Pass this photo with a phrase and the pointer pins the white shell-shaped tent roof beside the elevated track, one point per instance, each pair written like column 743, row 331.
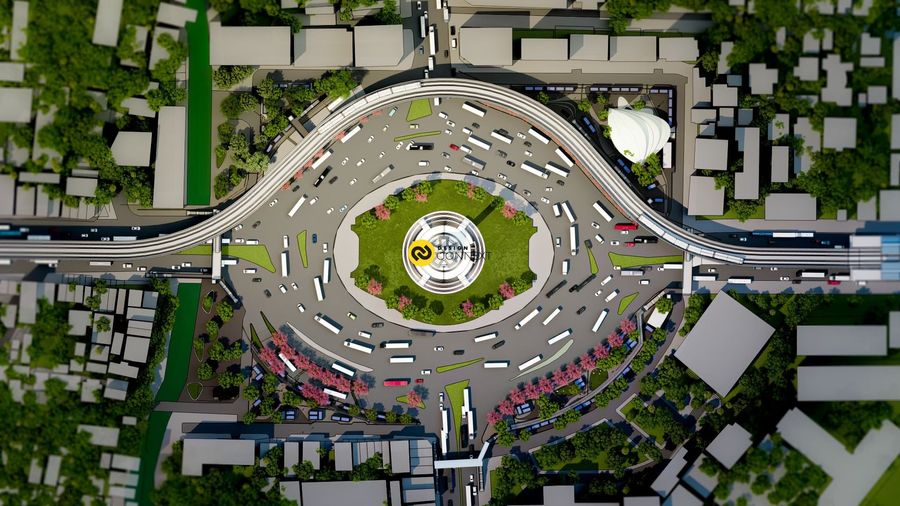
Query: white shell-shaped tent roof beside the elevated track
column 638, row 134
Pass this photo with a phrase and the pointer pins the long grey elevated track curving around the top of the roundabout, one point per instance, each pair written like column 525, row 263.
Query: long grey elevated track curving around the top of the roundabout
column 606, row 177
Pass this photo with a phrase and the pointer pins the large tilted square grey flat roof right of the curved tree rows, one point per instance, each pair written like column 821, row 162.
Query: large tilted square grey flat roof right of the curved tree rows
column 717, row 356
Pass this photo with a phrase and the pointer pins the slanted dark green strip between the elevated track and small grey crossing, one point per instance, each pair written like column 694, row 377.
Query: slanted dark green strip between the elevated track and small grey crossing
column 180, row 345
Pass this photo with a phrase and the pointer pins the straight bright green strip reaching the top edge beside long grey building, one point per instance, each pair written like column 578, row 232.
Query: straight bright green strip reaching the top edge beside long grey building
column 199, row 110
